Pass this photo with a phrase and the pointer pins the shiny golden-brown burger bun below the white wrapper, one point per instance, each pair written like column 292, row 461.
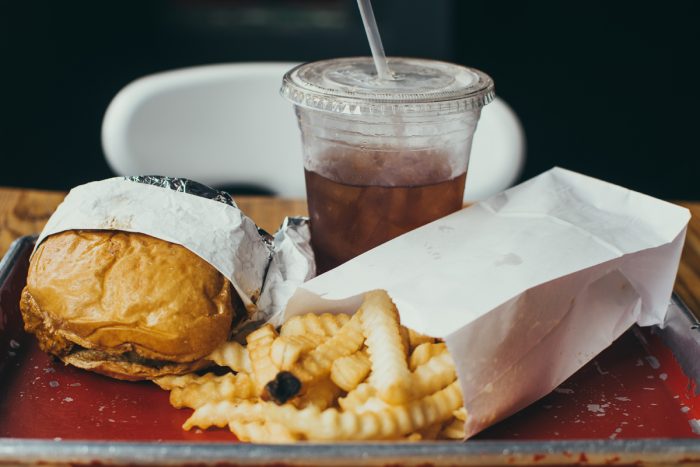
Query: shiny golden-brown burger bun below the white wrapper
column 125, row 294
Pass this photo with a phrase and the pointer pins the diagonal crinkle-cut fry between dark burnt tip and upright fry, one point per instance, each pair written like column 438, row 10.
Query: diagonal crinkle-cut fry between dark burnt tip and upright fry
column 317, row 363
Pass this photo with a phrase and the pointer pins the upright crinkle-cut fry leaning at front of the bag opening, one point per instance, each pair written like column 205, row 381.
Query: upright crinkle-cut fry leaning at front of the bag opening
column 380, row 325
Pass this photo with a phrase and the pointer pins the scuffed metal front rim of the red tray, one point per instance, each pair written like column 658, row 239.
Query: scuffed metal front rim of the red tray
column 437, row 453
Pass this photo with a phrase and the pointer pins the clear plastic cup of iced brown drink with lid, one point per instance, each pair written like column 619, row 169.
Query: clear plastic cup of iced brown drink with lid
column 382, row 157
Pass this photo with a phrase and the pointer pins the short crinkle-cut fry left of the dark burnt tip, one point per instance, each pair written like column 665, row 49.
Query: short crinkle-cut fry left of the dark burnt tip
column 225, row 387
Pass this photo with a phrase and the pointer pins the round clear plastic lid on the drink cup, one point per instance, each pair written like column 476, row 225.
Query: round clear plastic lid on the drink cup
column 351, row 86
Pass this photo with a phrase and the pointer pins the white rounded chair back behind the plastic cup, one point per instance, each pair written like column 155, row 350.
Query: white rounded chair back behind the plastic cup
column 228, row 125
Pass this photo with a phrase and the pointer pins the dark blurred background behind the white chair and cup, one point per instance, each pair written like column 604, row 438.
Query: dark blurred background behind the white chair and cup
column 607, row 88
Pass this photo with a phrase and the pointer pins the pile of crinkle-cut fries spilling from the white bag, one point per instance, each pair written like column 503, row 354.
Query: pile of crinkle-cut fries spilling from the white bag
column 329, row 377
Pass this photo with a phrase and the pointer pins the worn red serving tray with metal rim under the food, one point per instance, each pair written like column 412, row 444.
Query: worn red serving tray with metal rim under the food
column 633, row 402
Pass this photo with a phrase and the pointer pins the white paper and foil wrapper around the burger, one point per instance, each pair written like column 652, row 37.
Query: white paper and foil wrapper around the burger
column 264, row 270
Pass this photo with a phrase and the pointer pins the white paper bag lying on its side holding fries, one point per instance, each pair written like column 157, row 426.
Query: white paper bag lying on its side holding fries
column 525, row 287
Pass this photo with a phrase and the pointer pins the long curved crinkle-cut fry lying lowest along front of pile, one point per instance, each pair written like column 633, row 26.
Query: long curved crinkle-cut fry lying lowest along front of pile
column 331, row 424
